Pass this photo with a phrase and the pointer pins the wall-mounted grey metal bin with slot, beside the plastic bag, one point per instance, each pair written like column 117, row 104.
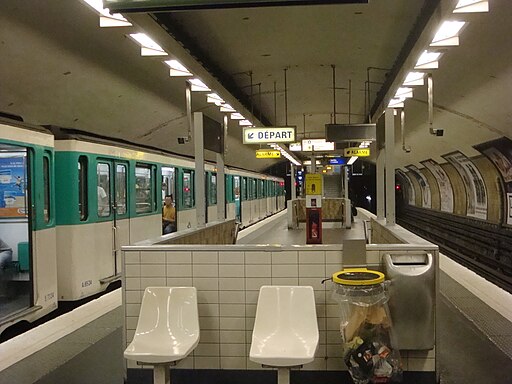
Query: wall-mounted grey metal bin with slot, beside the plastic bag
column 412, row 299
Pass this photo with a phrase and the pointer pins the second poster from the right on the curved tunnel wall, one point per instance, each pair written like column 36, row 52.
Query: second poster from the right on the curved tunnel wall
column 475, row 186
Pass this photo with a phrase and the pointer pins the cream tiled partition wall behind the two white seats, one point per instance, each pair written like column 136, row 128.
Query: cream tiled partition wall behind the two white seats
column 228, row 279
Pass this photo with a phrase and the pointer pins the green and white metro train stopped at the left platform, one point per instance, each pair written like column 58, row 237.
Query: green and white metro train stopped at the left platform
column 61, row 238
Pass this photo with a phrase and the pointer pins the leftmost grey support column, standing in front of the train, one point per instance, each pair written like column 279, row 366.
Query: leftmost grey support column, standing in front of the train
column 199, row 181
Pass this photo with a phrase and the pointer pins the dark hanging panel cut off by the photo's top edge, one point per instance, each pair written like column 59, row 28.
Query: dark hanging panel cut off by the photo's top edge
column 172, row 5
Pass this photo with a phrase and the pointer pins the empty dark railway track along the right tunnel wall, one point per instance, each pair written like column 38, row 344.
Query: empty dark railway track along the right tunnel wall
column 483, row 247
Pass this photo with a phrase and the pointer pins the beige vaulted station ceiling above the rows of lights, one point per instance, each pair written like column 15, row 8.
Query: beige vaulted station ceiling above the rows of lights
column 58, row 67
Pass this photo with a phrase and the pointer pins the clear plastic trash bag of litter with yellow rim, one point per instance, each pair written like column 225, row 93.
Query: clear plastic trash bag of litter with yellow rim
column 369, row 347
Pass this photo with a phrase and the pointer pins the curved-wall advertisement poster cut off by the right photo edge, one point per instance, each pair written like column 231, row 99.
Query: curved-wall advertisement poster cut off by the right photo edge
column 499, row 152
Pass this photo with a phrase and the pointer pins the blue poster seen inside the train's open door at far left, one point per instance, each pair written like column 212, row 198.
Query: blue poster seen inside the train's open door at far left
column 12, row 186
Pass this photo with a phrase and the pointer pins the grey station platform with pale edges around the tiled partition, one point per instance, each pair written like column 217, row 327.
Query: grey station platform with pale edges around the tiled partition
column 474, row 332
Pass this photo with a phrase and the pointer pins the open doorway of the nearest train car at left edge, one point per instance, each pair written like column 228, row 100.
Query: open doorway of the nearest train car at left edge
column 16, row 272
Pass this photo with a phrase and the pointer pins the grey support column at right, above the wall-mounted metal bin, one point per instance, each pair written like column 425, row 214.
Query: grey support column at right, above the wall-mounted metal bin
column 390, row 166
